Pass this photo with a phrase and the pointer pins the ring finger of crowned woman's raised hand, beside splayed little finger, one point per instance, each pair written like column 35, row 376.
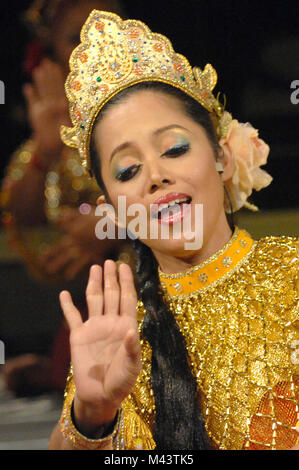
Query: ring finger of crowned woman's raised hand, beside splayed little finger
column 94, row 291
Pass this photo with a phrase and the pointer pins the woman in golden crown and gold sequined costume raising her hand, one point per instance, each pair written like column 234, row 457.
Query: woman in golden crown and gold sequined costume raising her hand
column 206, row 361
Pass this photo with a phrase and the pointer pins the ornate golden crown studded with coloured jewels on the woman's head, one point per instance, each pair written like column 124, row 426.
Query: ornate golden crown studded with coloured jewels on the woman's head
column 115, row 54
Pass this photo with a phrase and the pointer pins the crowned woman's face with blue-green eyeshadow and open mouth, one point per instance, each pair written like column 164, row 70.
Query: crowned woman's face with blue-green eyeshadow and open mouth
column 152, row 153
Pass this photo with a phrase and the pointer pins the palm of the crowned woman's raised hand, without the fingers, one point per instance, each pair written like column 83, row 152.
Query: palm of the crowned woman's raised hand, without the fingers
column 99, row 357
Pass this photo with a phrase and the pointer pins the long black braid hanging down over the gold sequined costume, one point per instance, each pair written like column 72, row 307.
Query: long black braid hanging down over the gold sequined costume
column 178, row 422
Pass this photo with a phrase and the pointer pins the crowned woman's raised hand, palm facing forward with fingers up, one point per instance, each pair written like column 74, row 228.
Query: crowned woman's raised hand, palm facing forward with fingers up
column 105, row 349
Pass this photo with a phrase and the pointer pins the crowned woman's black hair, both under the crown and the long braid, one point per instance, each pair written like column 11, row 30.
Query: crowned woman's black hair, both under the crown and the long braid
column 178, row 424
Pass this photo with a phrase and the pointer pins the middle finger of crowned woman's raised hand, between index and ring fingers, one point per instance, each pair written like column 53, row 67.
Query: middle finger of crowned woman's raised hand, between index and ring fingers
column 111, row 289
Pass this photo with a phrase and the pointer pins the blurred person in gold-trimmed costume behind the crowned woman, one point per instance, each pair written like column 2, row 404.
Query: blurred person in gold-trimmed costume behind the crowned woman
column 47, row 199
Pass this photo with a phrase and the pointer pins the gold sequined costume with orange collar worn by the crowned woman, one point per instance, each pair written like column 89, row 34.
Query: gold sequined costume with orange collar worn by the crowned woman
column 238, row 312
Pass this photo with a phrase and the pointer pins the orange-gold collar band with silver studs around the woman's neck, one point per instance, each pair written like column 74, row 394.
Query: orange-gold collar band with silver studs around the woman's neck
column 214, row 269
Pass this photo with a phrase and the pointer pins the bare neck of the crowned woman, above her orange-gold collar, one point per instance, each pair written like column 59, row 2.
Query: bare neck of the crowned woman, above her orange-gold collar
column 212, row 242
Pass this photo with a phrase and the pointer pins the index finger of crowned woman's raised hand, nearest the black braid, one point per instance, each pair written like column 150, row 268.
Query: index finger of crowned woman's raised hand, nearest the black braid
column 128, row 295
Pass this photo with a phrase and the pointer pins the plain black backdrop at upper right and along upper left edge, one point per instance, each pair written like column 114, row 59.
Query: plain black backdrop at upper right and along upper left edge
column 254, row 46
